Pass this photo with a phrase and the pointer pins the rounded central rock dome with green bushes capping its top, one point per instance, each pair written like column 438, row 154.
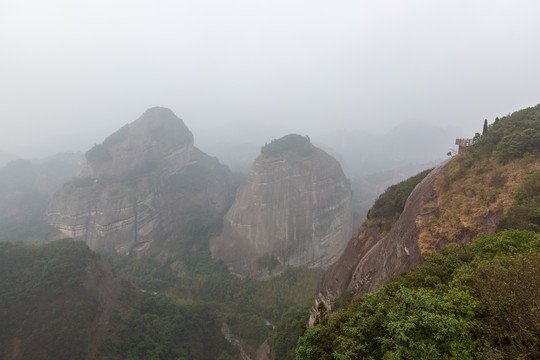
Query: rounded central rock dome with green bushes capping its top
column 294, row 208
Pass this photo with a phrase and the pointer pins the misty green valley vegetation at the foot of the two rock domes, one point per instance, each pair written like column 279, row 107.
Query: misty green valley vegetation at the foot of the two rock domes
column 188, row 275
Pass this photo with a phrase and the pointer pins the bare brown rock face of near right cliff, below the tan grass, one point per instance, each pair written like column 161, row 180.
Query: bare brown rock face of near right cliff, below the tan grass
column 369, row 259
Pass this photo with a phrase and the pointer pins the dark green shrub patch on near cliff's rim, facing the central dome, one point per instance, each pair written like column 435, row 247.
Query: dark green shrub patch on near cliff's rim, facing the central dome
column 391, row 203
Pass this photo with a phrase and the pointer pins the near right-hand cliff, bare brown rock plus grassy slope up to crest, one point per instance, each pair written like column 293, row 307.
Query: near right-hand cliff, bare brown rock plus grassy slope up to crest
column 469, row 195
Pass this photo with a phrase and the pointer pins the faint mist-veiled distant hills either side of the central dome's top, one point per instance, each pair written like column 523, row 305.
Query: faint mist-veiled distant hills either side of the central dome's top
column 360, row 153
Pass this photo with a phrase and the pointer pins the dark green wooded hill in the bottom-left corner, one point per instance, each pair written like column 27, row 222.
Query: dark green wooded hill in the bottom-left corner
column 44, row 306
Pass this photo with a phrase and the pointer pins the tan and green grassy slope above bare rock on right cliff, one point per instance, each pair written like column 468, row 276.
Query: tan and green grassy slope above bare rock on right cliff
column 479, row 187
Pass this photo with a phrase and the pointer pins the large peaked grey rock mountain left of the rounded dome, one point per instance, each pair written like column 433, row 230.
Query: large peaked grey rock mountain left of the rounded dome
column 138, row 184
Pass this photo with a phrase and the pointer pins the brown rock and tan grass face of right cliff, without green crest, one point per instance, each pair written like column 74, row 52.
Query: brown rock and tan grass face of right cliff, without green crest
column 451, row 205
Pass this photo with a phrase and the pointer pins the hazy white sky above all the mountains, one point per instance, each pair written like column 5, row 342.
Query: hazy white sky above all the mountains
column 71, row 72
